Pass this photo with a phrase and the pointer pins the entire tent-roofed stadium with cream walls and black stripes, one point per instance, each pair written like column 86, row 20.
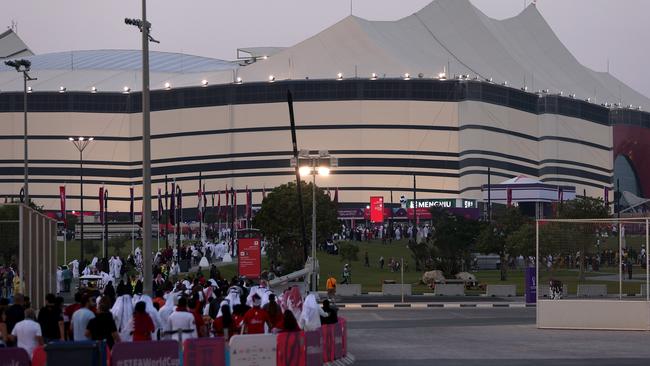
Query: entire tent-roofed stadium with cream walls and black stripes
column 442, row 95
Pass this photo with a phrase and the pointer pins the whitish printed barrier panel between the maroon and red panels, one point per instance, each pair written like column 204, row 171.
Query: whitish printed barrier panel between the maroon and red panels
column 253, row 350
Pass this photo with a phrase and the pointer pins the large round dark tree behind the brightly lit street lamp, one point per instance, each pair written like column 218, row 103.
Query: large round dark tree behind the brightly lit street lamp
column 279, row 221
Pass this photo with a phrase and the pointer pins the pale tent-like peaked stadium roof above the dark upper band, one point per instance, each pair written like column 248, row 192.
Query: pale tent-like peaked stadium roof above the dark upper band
column 450, row 36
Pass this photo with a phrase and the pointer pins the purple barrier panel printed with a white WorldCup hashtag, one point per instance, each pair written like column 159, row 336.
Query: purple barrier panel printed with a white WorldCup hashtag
column 160, row 353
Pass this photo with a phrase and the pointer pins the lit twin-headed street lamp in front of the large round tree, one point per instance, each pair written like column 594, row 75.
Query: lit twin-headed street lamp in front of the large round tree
column 314, row 165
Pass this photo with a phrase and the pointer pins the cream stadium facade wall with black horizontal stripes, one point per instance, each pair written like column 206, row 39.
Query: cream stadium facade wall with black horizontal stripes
column 446, row 132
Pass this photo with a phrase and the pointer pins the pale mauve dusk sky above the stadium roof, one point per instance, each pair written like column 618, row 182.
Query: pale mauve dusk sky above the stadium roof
column 595, row 31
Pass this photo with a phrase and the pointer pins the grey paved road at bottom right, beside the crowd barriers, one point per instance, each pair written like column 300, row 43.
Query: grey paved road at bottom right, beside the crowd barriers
column 414, row 337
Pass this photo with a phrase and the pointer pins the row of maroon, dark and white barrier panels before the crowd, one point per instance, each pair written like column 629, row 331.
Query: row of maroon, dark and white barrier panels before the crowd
column 313, row 348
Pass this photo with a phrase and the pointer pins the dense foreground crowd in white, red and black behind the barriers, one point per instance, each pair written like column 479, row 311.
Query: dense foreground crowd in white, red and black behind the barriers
column 193, row 307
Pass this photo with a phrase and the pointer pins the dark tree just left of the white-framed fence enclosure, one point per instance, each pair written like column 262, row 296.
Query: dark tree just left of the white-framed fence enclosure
column 509, row 234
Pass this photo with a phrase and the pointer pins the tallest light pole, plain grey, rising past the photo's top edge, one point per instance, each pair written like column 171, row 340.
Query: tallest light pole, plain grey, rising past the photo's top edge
column 145, row 27
